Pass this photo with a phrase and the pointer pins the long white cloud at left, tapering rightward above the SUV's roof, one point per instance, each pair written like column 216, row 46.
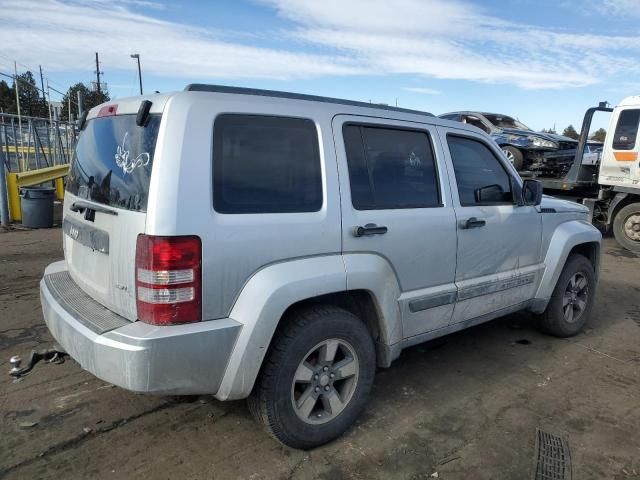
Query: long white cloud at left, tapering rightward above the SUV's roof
column 63, row 35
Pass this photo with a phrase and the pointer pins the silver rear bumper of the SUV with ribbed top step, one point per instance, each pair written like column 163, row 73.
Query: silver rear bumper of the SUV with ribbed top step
column 179, row 360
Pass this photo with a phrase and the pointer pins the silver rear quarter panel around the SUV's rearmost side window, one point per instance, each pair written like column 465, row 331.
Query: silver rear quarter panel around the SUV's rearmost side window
column 234, row 246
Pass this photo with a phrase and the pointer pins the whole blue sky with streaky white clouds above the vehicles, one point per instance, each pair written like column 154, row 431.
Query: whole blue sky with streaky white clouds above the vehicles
column 542, row 61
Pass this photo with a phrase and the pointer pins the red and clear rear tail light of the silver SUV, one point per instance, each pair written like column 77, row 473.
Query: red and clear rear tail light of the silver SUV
column 168, row 279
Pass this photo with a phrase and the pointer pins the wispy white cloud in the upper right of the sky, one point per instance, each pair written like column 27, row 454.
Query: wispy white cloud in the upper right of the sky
column 457, row 40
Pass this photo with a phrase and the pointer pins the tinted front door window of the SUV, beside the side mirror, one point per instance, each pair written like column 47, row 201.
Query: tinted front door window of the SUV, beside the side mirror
column 481, row 178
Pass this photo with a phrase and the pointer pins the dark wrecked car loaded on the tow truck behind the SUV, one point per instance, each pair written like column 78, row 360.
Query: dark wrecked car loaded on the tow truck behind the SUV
column 524, row 147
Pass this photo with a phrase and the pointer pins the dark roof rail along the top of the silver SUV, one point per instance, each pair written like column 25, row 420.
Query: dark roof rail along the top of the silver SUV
column 200, row 87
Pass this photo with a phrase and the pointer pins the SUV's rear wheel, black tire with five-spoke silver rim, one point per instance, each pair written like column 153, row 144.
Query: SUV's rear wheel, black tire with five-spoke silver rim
column 316, row 378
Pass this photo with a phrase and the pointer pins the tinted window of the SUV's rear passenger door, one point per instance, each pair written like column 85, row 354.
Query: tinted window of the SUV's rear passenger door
column 390, row 168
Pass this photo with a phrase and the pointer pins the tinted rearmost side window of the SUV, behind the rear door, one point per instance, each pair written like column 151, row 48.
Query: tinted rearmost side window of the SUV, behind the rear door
column 266, row 164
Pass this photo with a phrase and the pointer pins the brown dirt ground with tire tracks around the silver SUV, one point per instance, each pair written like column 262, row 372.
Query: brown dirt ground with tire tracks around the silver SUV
column 466, row 406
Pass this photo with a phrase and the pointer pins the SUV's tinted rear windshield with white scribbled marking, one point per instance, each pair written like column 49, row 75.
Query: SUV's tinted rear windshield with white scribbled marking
column 113, row 161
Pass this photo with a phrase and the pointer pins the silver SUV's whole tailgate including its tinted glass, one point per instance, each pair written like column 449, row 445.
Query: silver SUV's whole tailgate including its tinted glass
column 105, row 208
